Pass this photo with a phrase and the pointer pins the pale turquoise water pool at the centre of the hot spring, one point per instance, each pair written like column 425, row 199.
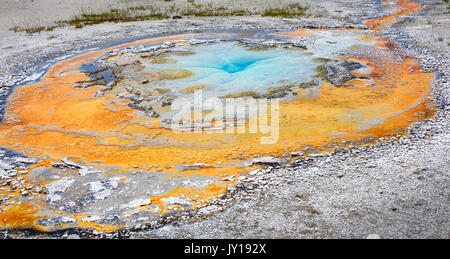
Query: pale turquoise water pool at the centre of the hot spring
column 229, row 68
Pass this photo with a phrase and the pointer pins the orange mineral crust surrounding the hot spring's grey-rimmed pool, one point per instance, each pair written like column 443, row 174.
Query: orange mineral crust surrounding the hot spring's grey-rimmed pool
column 54, row 119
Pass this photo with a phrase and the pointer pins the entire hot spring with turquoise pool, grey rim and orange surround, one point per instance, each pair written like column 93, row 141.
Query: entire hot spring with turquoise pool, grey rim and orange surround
column 121, row 136
